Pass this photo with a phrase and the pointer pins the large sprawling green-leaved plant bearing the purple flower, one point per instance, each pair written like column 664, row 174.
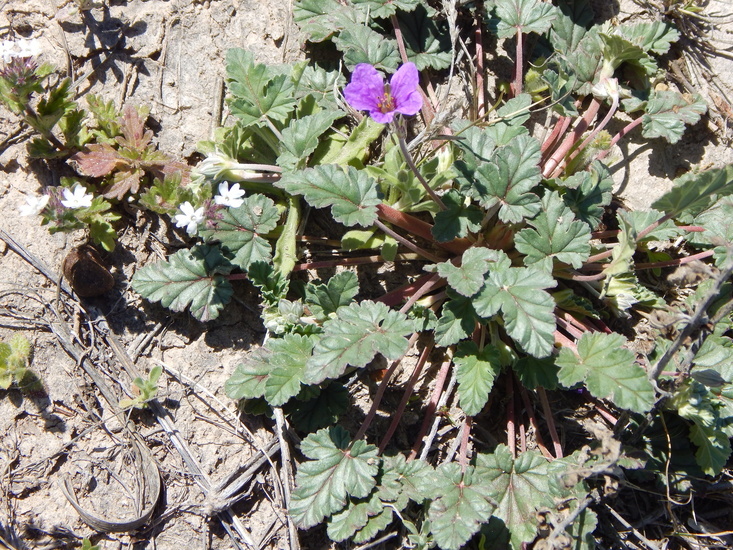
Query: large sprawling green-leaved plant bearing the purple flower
column 519, row 285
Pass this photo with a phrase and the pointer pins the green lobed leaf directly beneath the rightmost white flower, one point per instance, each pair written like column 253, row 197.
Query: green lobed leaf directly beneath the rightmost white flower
column 240, row 230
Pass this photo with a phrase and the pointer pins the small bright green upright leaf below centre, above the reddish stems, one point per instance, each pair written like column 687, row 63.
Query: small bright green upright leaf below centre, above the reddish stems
column 476, row 372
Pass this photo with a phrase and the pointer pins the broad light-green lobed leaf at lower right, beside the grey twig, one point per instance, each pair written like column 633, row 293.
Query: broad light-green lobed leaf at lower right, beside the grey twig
column 608, row 370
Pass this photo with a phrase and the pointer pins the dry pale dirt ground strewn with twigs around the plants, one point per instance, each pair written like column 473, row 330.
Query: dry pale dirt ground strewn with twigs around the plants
column 168, row 55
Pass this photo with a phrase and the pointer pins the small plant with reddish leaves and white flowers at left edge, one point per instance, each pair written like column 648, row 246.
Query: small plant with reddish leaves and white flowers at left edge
column 110, row 150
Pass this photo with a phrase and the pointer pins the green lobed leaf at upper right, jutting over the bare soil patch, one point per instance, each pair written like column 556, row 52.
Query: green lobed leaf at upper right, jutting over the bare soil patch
column 667, row 113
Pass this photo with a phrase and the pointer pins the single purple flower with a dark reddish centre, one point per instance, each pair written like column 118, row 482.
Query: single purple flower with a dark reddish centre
column 367, row 92
